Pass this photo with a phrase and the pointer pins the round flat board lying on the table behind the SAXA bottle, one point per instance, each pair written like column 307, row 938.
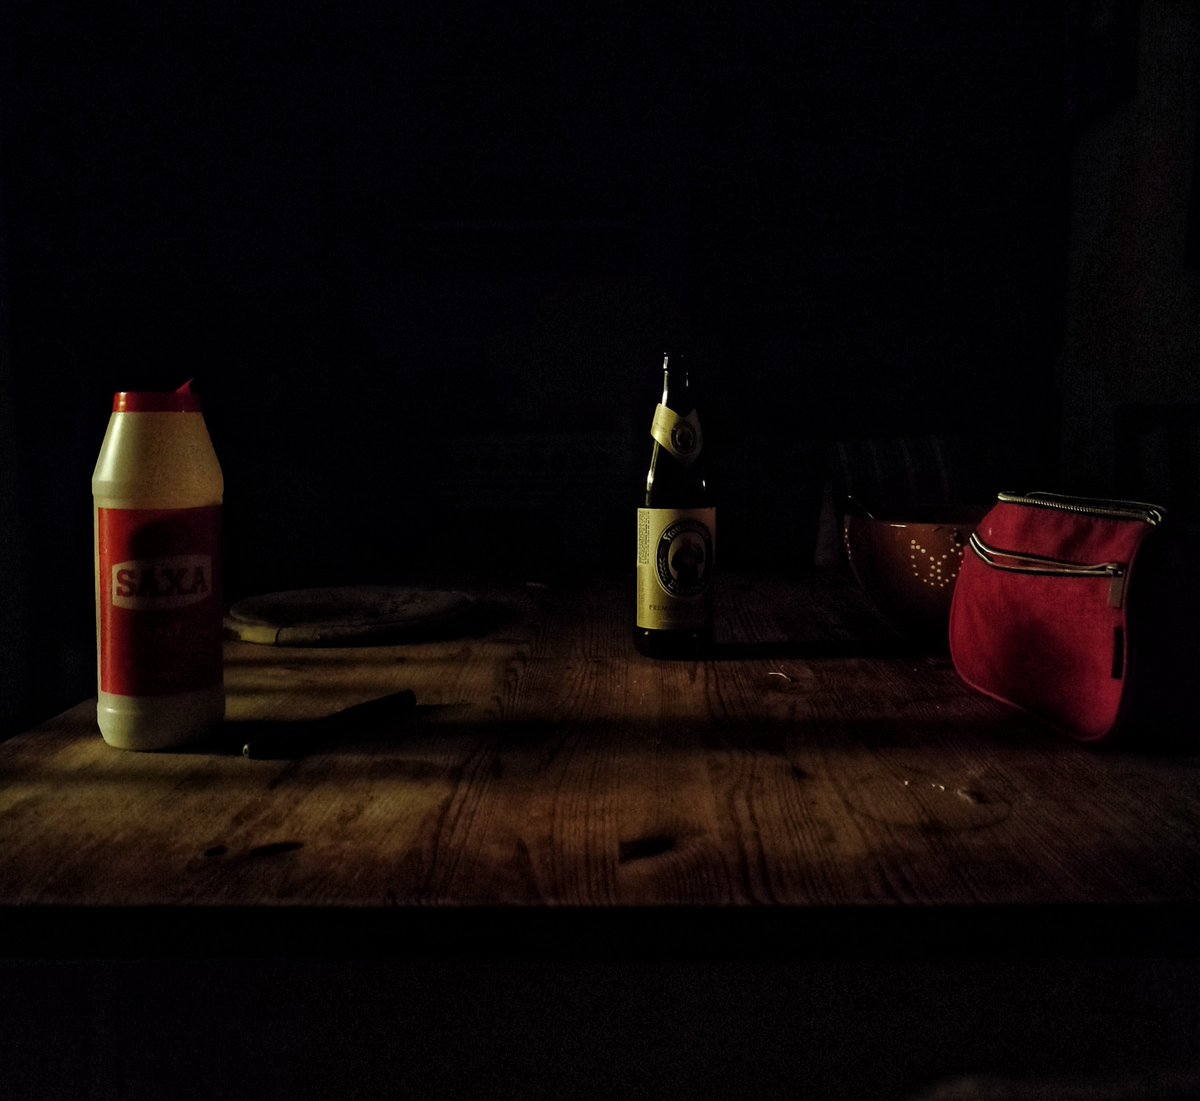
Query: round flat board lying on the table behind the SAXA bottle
column 347, row 616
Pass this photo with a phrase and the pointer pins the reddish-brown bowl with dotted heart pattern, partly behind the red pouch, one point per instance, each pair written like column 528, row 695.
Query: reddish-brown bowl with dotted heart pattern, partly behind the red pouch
column 908, row 567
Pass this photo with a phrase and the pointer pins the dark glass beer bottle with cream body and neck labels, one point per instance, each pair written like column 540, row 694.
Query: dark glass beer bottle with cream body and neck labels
column 676, row 530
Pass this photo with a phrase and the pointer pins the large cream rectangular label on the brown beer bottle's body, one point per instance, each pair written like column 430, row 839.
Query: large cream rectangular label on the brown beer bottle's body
column 675, row 567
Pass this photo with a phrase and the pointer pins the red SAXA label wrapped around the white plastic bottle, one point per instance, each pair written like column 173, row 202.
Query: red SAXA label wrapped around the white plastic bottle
column 159, row 600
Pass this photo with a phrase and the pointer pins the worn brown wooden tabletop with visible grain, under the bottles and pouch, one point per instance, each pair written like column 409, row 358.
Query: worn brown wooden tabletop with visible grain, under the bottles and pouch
column 812, row 765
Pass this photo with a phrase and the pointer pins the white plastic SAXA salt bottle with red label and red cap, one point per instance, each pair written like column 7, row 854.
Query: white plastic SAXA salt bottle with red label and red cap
column 158, row 492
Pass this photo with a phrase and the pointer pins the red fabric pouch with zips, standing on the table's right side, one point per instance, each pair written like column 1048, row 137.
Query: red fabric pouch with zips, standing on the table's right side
column 1063, row 609
